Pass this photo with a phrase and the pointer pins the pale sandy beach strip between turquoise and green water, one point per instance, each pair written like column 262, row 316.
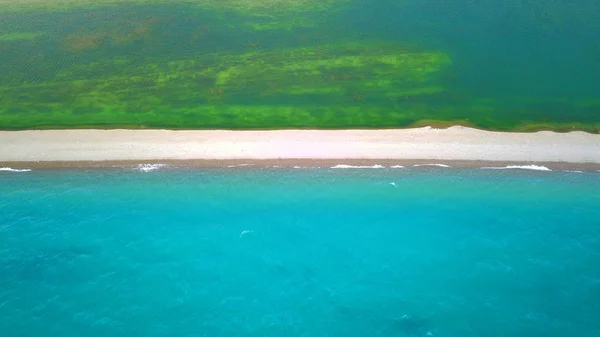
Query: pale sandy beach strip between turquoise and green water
column 456, row 146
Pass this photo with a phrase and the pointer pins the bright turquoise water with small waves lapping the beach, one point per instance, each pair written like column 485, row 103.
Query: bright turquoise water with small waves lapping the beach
column 315, row 252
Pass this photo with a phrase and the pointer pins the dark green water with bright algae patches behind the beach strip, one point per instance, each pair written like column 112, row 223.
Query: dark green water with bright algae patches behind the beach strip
column 262, row 64
